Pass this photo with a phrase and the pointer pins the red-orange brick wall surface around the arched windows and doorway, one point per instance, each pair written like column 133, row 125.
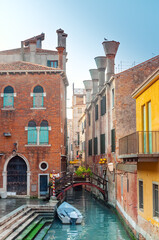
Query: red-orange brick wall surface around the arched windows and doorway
column 15, row 121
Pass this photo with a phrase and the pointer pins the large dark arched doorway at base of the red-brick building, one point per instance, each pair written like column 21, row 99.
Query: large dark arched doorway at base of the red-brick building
column 17, row 176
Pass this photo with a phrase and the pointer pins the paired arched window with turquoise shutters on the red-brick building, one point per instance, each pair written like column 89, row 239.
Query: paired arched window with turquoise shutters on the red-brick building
column 38, row 135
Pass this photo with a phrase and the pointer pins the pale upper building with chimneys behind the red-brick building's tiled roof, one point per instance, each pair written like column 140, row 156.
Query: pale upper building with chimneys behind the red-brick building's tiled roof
column 31, row 51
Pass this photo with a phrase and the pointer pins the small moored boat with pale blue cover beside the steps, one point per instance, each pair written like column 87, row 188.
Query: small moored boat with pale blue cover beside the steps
column 69, row 214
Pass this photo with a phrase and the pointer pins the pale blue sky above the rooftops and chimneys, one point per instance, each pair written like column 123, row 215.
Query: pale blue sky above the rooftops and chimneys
column 134, row 23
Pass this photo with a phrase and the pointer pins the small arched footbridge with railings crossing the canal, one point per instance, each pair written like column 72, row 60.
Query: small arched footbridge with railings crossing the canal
column 70, row 180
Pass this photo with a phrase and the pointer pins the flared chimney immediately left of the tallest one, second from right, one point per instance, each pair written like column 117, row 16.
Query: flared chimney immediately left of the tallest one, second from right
column 101, row 65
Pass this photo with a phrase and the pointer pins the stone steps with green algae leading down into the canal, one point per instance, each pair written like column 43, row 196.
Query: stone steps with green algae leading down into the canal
column 27, row 222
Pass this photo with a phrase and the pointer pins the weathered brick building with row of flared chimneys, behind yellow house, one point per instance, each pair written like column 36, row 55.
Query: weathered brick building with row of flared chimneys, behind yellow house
column 110, row 115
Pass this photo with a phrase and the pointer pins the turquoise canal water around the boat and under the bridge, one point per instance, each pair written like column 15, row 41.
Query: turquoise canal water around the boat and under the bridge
column 99, row 221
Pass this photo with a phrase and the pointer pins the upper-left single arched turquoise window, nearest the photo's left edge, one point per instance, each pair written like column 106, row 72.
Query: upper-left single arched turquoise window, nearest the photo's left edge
column 8, row 100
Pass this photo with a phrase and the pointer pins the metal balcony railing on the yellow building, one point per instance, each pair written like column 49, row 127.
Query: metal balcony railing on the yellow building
column 142, row 142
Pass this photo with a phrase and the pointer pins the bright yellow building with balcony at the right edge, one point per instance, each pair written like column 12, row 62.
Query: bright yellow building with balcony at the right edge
column 147, row 142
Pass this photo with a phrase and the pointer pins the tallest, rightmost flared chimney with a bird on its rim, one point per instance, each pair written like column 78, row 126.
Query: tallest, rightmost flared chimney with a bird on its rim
column 110, row 48
